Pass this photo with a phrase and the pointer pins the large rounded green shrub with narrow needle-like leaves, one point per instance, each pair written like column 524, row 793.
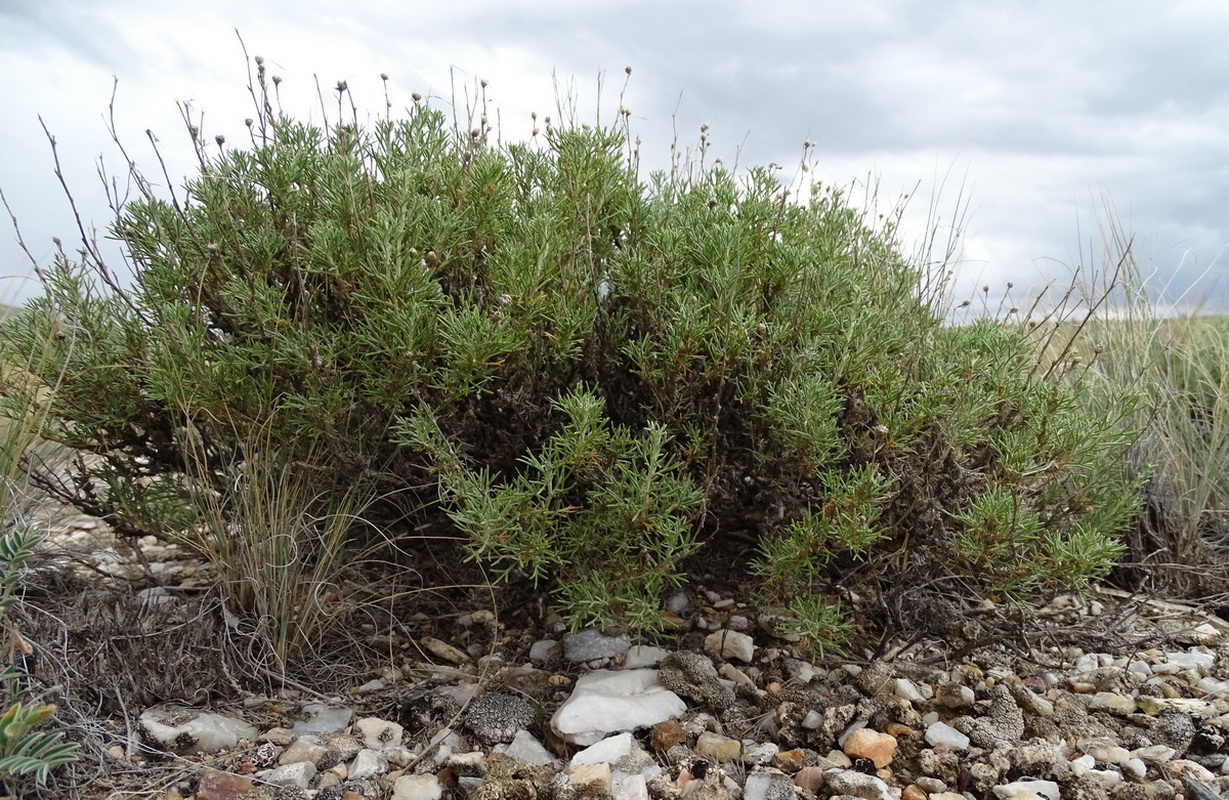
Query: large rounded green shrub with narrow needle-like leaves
column 589, row 375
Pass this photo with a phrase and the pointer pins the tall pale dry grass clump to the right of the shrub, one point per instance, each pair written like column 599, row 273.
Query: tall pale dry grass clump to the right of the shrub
column 1176, row 361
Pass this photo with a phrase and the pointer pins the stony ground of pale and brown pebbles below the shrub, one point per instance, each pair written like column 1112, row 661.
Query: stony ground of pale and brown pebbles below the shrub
column 471, row 708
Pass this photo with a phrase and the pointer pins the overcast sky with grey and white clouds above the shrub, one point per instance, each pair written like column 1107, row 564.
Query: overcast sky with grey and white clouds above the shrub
column 1033, row 114
